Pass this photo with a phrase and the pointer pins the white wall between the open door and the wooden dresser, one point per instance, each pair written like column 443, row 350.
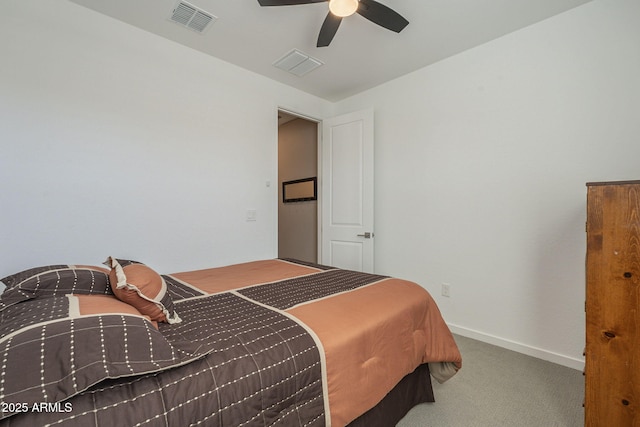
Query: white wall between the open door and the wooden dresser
column 481, row 165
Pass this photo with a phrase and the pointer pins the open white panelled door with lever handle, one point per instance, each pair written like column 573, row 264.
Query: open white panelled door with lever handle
column 347, row 191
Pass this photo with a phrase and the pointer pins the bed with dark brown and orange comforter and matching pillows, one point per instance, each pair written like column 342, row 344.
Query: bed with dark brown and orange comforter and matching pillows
column 271, row 342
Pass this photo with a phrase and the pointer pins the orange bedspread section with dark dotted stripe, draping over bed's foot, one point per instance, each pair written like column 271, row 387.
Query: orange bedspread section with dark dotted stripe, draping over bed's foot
column 373, row 330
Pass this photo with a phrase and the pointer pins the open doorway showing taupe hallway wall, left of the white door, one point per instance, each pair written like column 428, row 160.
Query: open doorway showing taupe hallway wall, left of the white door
column 297, row 160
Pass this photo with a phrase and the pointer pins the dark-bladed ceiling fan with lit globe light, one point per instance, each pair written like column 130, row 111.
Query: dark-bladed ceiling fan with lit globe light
column 338, row 9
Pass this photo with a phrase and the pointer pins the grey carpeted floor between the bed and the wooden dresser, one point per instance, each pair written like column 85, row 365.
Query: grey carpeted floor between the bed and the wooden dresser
column 498, row 387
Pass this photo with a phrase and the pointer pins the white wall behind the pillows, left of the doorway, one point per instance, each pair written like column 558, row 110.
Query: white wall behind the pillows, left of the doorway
column 114, row 141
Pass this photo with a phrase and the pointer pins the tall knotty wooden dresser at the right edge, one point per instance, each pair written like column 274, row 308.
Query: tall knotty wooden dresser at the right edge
column 612, row 363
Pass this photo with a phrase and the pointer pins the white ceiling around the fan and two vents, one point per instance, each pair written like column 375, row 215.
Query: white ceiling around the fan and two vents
column 362, row 54
